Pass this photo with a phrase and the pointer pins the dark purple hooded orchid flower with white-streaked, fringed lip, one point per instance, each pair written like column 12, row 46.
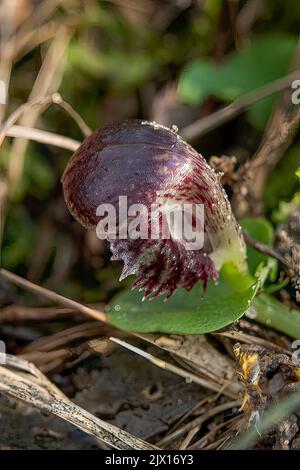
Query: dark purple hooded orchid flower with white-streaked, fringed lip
column 151, row 164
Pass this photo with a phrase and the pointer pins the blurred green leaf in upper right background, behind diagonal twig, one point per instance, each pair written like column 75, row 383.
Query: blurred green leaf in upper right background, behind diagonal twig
column 242, row 71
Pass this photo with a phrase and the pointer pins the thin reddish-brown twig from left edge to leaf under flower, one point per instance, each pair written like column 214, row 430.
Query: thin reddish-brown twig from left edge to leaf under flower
column 53, row 296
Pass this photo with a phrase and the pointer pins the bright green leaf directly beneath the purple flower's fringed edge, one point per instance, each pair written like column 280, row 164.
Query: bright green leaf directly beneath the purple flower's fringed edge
column 186, row 313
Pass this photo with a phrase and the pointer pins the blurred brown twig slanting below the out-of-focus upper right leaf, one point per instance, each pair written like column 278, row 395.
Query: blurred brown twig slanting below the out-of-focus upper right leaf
column 204, row 125
